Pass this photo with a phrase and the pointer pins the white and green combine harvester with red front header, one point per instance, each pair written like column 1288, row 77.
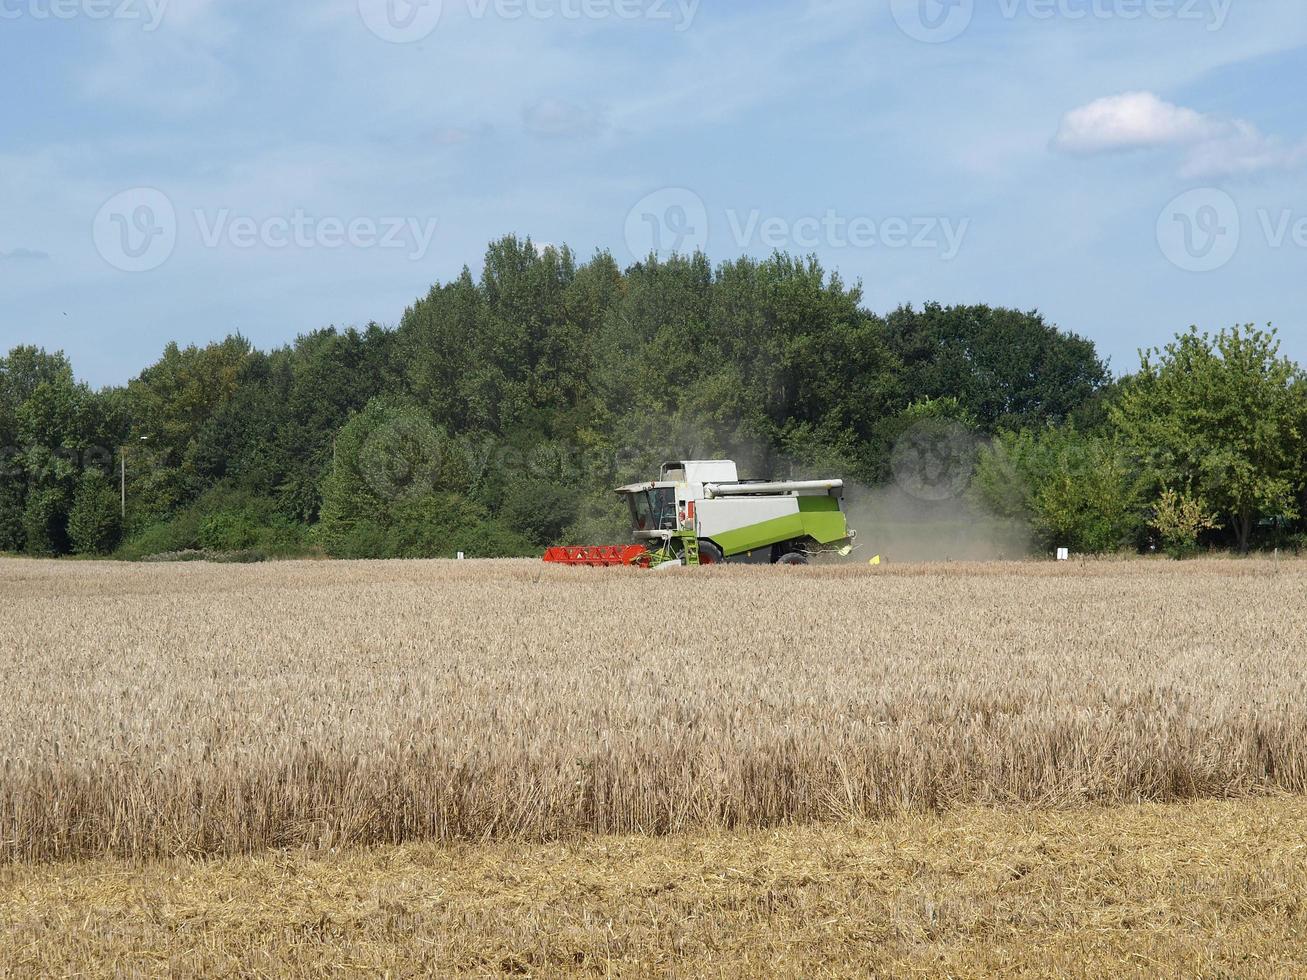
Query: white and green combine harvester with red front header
column 701, row 513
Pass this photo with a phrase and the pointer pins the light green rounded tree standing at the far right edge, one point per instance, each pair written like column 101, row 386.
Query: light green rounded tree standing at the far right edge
column 1224, row 416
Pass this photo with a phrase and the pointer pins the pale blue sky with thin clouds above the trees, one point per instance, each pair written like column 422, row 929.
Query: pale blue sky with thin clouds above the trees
column 185, row 169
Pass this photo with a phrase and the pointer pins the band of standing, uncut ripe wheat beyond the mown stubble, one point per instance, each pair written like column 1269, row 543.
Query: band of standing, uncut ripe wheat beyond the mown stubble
column 172, row 711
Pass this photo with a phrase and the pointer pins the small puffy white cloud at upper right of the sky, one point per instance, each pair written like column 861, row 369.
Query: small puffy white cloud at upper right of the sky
column 1214, row 147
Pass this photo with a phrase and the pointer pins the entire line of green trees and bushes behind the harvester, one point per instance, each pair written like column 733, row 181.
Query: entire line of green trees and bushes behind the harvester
column 501, row 411
